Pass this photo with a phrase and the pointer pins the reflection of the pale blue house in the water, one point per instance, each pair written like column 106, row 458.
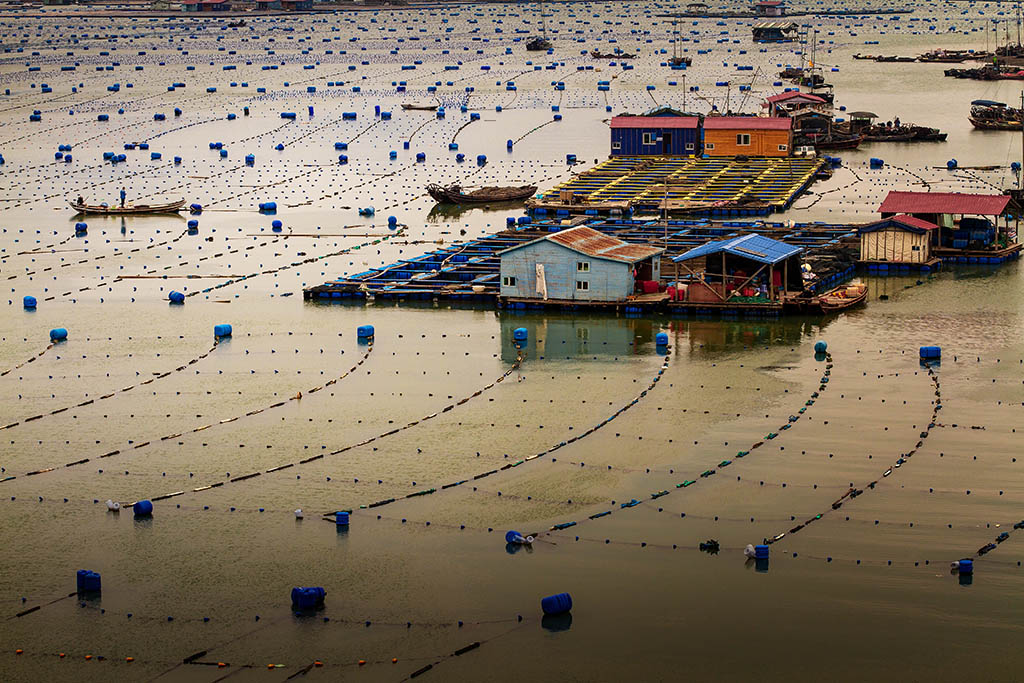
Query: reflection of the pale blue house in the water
column 557, row 336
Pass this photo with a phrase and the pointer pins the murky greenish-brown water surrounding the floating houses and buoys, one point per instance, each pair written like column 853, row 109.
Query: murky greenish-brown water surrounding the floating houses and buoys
column 648, row 605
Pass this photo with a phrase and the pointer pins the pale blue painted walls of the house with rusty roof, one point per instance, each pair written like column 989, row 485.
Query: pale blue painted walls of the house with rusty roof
column 609, row 281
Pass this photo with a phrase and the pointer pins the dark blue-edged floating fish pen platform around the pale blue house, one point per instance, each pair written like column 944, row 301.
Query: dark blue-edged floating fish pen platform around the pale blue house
column 470, row 273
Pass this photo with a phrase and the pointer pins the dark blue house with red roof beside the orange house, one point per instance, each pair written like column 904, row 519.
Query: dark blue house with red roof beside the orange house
column 664, row 133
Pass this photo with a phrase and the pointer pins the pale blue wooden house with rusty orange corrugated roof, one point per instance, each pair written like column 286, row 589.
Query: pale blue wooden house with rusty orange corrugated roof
column 579, row 265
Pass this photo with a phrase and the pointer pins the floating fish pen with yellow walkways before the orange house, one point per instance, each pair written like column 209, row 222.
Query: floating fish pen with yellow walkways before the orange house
column 698, row 187
